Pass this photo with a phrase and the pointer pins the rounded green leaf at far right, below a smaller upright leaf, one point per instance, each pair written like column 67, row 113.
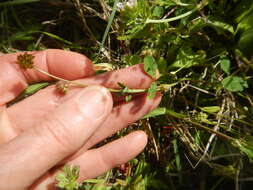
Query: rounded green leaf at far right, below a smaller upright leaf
column 234, row 83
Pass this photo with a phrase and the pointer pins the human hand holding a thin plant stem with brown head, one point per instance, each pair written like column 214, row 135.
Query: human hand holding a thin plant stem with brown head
column 46, row 130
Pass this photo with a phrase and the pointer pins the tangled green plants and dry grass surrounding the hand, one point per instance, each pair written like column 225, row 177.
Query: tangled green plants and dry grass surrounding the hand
column 201, row 135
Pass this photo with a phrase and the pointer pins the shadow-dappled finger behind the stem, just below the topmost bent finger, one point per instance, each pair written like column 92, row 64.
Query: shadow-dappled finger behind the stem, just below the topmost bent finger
column 43, row 102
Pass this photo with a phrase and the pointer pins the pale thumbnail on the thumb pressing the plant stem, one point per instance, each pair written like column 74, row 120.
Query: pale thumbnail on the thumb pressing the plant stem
column 94, row 102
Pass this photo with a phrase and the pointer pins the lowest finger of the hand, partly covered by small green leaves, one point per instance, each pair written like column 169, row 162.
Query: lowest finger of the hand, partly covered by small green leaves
column 95, row 162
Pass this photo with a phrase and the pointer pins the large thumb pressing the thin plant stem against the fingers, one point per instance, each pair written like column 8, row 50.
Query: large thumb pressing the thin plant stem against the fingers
column 61, row 133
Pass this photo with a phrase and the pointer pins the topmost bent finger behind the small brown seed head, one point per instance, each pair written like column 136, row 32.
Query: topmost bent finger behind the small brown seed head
column 64, row 64
